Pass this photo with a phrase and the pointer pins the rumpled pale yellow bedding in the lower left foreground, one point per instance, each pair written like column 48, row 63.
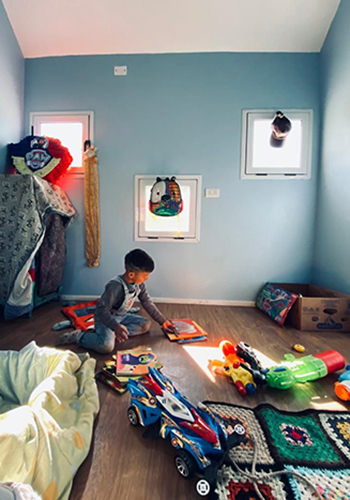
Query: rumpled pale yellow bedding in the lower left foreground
column 48, row 403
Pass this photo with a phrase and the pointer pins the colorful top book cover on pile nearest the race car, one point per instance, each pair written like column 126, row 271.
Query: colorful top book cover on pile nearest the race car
column 136, row 362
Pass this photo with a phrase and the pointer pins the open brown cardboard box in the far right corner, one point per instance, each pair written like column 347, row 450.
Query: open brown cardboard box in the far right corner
column 318, row 308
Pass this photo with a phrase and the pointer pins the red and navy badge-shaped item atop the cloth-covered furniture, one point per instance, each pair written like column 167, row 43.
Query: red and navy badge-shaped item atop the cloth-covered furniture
column 41, row 156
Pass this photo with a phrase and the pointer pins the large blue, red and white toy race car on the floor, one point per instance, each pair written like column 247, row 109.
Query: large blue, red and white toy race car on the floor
column 202, row 439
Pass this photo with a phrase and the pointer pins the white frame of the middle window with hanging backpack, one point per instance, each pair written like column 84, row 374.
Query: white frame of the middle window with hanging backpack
column 140, row 233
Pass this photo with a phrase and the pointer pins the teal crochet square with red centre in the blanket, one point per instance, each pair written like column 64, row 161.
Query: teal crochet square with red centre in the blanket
column 298, row 439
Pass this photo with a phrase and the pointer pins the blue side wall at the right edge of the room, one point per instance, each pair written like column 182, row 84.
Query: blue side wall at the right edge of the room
column 332, row 249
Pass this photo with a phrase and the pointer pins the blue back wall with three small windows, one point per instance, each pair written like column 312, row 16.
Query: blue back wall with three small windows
column 181, row 113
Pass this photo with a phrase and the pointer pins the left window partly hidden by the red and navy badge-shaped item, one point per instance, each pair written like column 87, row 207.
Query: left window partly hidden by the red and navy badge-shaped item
column 71, row 128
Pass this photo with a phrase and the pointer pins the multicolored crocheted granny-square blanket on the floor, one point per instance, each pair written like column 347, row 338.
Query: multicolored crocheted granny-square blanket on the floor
column 296, row 454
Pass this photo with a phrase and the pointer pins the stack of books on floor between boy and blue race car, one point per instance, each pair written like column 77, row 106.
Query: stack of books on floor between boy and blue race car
column 126, row 365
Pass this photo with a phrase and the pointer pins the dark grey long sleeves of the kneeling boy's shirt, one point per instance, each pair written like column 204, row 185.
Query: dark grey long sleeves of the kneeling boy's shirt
column 113, row 297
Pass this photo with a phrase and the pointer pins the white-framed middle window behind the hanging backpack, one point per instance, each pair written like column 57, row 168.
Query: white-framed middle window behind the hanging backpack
column 181, row 227
